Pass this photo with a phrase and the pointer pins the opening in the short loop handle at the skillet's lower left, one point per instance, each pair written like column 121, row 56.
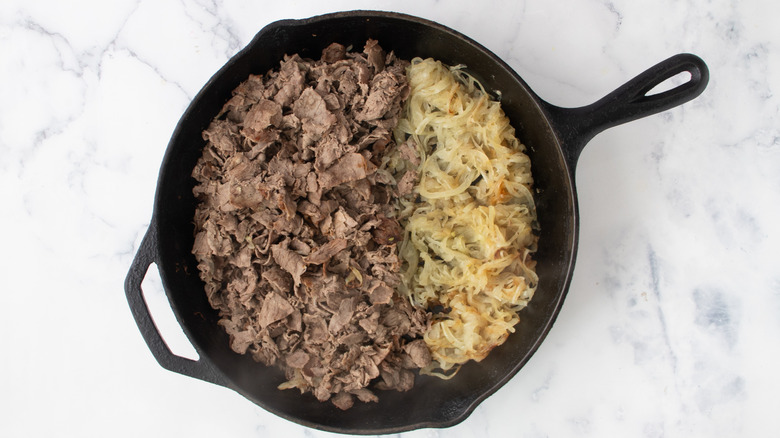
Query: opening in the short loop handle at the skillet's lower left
column 163, row 317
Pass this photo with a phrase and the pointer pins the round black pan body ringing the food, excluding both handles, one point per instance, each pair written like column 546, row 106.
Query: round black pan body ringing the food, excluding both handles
column 432, row 402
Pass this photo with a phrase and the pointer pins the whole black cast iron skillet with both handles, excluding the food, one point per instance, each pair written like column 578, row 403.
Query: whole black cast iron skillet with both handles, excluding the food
column 554, row 135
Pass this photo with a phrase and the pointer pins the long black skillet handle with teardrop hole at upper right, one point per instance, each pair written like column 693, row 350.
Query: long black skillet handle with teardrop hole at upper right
column 576, row 126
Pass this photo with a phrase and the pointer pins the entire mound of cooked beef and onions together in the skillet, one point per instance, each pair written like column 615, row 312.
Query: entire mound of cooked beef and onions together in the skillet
column 301, row 186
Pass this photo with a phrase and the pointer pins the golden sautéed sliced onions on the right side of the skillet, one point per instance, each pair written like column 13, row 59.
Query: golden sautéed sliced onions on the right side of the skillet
column 468, row 222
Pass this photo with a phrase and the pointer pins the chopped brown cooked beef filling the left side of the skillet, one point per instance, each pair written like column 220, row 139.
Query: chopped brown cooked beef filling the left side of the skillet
column 295, row 230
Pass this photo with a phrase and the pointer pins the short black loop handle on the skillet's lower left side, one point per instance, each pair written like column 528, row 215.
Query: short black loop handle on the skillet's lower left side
column 146, row 255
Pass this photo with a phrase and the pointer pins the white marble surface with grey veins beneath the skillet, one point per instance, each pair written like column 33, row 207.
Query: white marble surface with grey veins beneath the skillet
column 672, row 322
